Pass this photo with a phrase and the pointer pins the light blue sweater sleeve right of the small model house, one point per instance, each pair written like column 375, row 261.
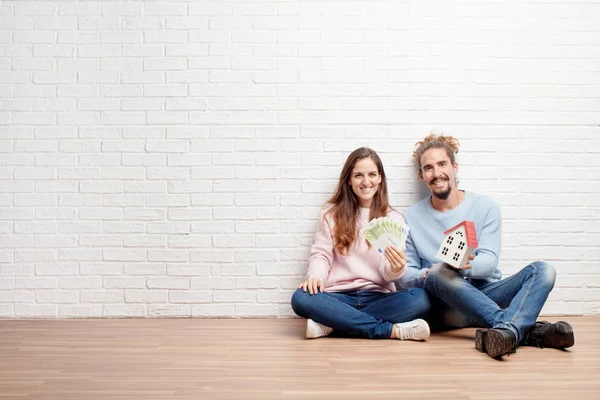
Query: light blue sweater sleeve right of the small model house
column 487, row 253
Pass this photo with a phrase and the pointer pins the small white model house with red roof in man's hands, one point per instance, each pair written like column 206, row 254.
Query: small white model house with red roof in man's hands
column 458, row 243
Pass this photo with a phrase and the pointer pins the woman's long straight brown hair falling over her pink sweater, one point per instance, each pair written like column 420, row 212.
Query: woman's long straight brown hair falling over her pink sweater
column 345, row 208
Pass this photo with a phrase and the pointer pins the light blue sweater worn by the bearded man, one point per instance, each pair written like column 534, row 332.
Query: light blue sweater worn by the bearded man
column 427, row 227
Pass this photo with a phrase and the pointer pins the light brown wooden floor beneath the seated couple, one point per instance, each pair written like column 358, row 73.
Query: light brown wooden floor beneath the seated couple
column 270, row 359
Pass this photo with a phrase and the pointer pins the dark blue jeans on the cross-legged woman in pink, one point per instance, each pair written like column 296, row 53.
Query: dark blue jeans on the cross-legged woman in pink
column 366, row 314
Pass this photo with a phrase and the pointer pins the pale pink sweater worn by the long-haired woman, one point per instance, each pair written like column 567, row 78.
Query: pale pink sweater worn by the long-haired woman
column 361, row 269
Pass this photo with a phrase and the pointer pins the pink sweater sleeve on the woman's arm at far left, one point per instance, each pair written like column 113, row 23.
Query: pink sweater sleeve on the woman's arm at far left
column 321, row 251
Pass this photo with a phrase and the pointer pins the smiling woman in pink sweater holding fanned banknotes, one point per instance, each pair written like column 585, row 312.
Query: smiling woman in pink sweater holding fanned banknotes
column 349, row 286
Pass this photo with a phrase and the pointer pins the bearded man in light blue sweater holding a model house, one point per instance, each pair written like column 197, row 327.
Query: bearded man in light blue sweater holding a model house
column 475, row 295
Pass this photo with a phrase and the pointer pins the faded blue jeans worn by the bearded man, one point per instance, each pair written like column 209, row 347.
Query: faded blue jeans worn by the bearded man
column 513, row 303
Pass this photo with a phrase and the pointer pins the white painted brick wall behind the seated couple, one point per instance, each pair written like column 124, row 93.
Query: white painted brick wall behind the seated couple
column 168, row 158
